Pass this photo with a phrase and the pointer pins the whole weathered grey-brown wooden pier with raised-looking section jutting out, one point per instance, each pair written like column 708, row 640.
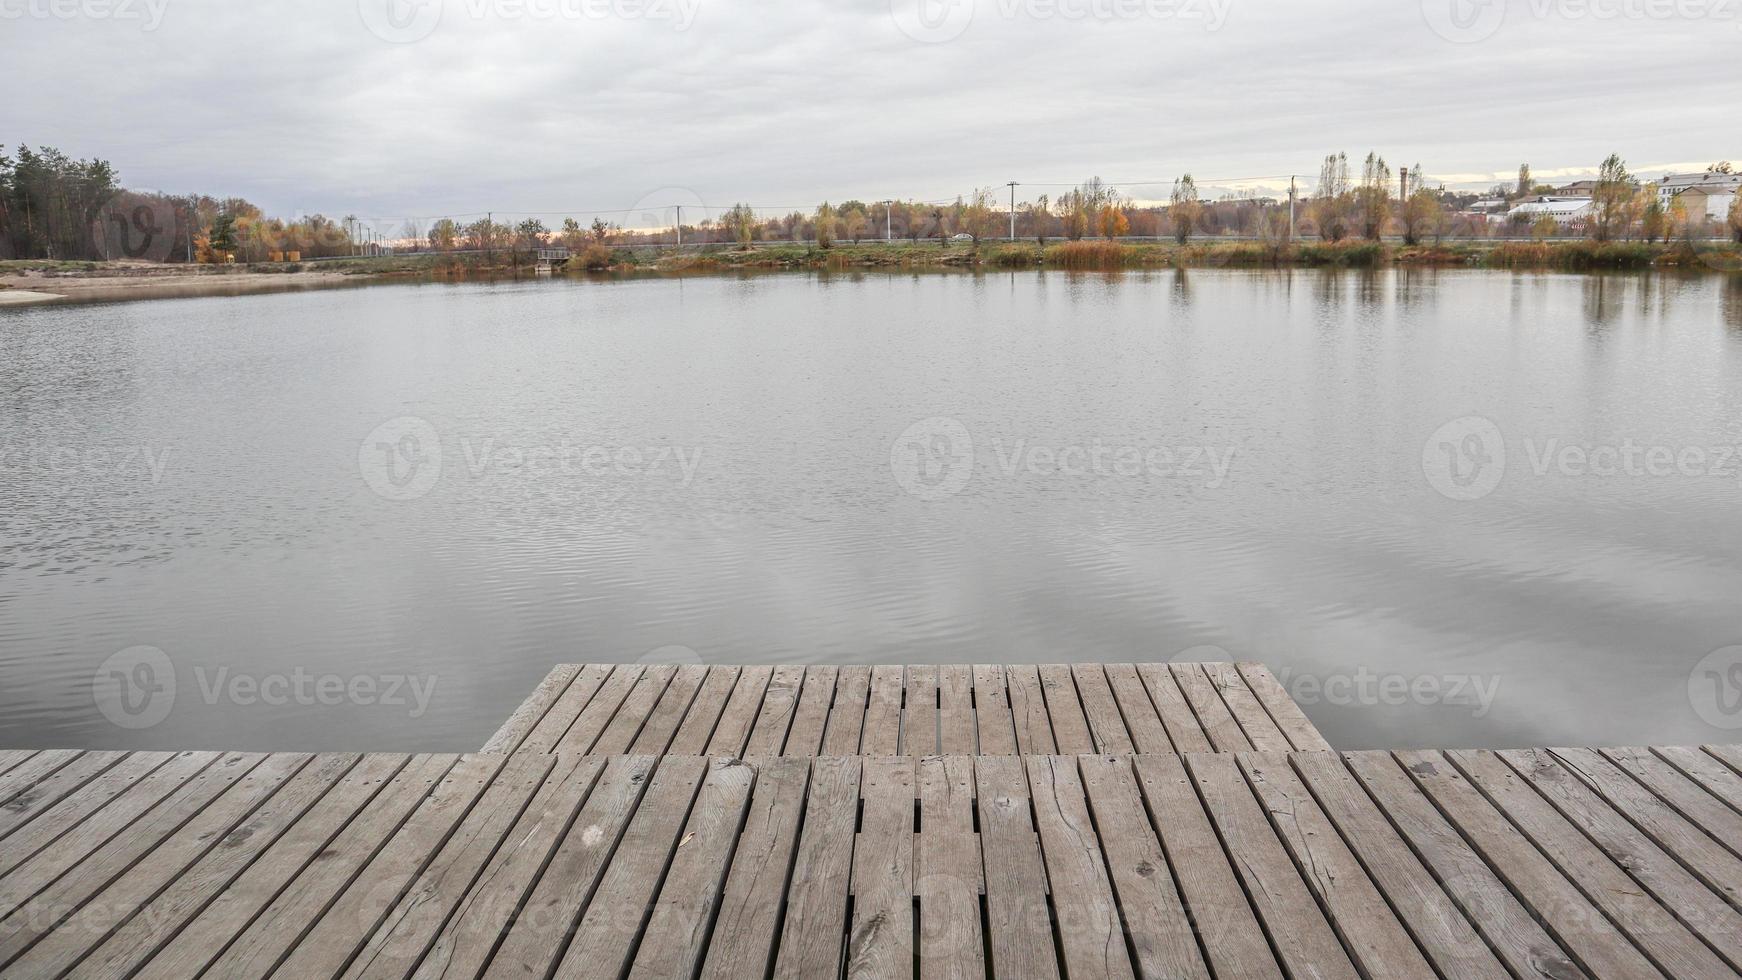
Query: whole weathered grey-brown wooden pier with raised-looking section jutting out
column 961, row 857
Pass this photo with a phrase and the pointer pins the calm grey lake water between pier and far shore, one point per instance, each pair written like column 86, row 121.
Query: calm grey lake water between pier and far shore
column 1445, row 507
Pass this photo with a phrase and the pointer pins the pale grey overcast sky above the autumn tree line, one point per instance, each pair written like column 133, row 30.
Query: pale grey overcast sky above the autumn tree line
column 395, row 109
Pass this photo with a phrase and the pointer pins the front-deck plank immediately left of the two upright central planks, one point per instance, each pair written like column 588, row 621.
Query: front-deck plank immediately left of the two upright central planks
column 813, row 937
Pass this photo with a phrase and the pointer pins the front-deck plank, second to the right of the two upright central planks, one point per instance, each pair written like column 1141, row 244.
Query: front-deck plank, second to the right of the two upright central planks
column 1091, row 939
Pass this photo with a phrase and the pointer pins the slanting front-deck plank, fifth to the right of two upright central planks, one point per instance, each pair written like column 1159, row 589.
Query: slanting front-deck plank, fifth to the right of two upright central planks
column 1299, row 930
